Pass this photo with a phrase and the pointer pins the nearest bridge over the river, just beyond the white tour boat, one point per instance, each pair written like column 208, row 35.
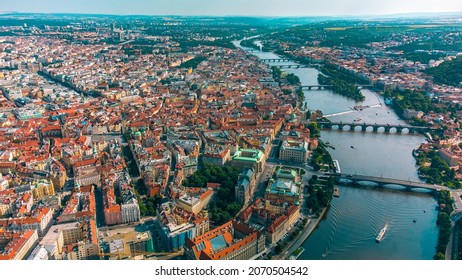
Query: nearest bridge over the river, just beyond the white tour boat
column 355, row 179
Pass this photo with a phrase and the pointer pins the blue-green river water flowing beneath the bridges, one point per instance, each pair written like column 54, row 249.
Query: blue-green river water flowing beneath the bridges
column 353, row 220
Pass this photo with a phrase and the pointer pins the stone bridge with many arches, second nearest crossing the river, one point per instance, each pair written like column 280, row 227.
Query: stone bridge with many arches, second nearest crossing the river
column 399, row 128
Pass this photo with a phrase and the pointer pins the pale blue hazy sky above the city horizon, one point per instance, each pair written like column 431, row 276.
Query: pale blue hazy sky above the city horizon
column 234, row 7
